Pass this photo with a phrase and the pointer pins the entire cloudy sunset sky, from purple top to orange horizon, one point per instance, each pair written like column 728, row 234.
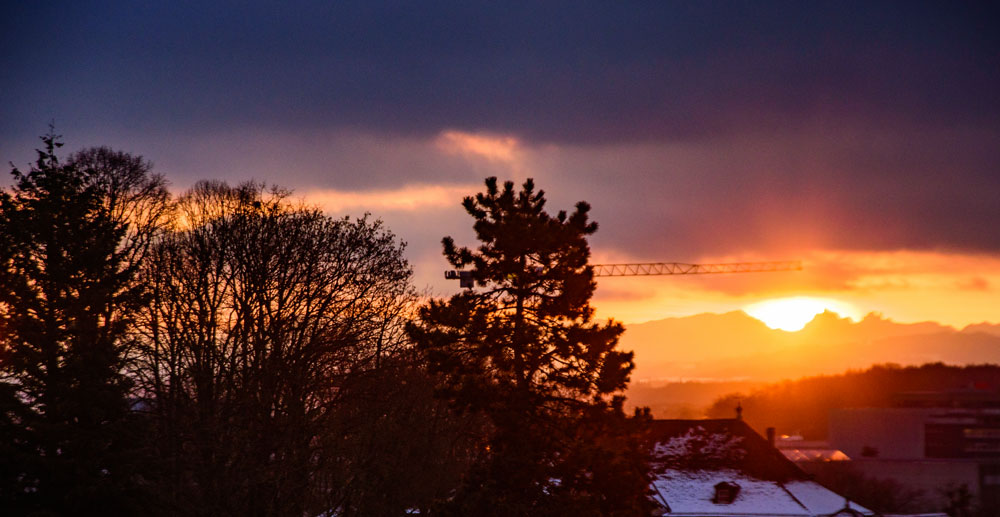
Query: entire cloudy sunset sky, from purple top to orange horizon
column 862, row 138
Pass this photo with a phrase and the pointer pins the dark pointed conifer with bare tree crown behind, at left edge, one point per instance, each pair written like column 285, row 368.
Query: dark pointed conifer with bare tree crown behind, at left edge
column 72, row 236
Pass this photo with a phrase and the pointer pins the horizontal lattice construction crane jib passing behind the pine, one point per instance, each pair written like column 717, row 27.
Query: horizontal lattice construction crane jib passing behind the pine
column 663, row 268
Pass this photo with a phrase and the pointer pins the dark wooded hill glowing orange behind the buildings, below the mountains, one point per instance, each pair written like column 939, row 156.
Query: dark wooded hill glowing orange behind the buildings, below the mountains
column 802, row 406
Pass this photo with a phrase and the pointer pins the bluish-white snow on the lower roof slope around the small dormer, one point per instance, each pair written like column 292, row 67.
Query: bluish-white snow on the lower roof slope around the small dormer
column 690, row 493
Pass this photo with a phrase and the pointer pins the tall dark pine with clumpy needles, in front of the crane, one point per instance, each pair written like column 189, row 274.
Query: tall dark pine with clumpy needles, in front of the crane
column 522, row 349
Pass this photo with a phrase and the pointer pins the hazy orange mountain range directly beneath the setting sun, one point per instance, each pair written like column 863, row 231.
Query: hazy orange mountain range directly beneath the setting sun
column 736, row 347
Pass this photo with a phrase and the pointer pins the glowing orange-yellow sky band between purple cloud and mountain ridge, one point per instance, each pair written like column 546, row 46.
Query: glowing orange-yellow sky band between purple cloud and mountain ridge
column 950, row 288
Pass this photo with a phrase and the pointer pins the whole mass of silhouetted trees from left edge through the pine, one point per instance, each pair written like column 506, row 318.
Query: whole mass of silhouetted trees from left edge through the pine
column 229, row 351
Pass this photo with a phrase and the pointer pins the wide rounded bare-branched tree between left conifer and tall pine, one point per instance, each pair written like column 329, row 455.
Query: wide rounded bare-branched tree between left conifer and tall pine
column 263, row 313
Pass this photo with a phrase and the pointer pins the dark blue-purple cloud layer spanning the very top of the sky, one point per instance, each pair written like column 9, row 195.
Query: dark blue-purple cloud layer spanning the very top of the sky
column 549, row 71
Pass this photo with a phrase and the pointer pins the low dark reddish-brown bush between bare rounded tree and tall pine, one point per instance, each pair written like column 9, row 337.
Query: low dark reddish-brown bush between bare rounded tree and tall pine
column 402, row 447
